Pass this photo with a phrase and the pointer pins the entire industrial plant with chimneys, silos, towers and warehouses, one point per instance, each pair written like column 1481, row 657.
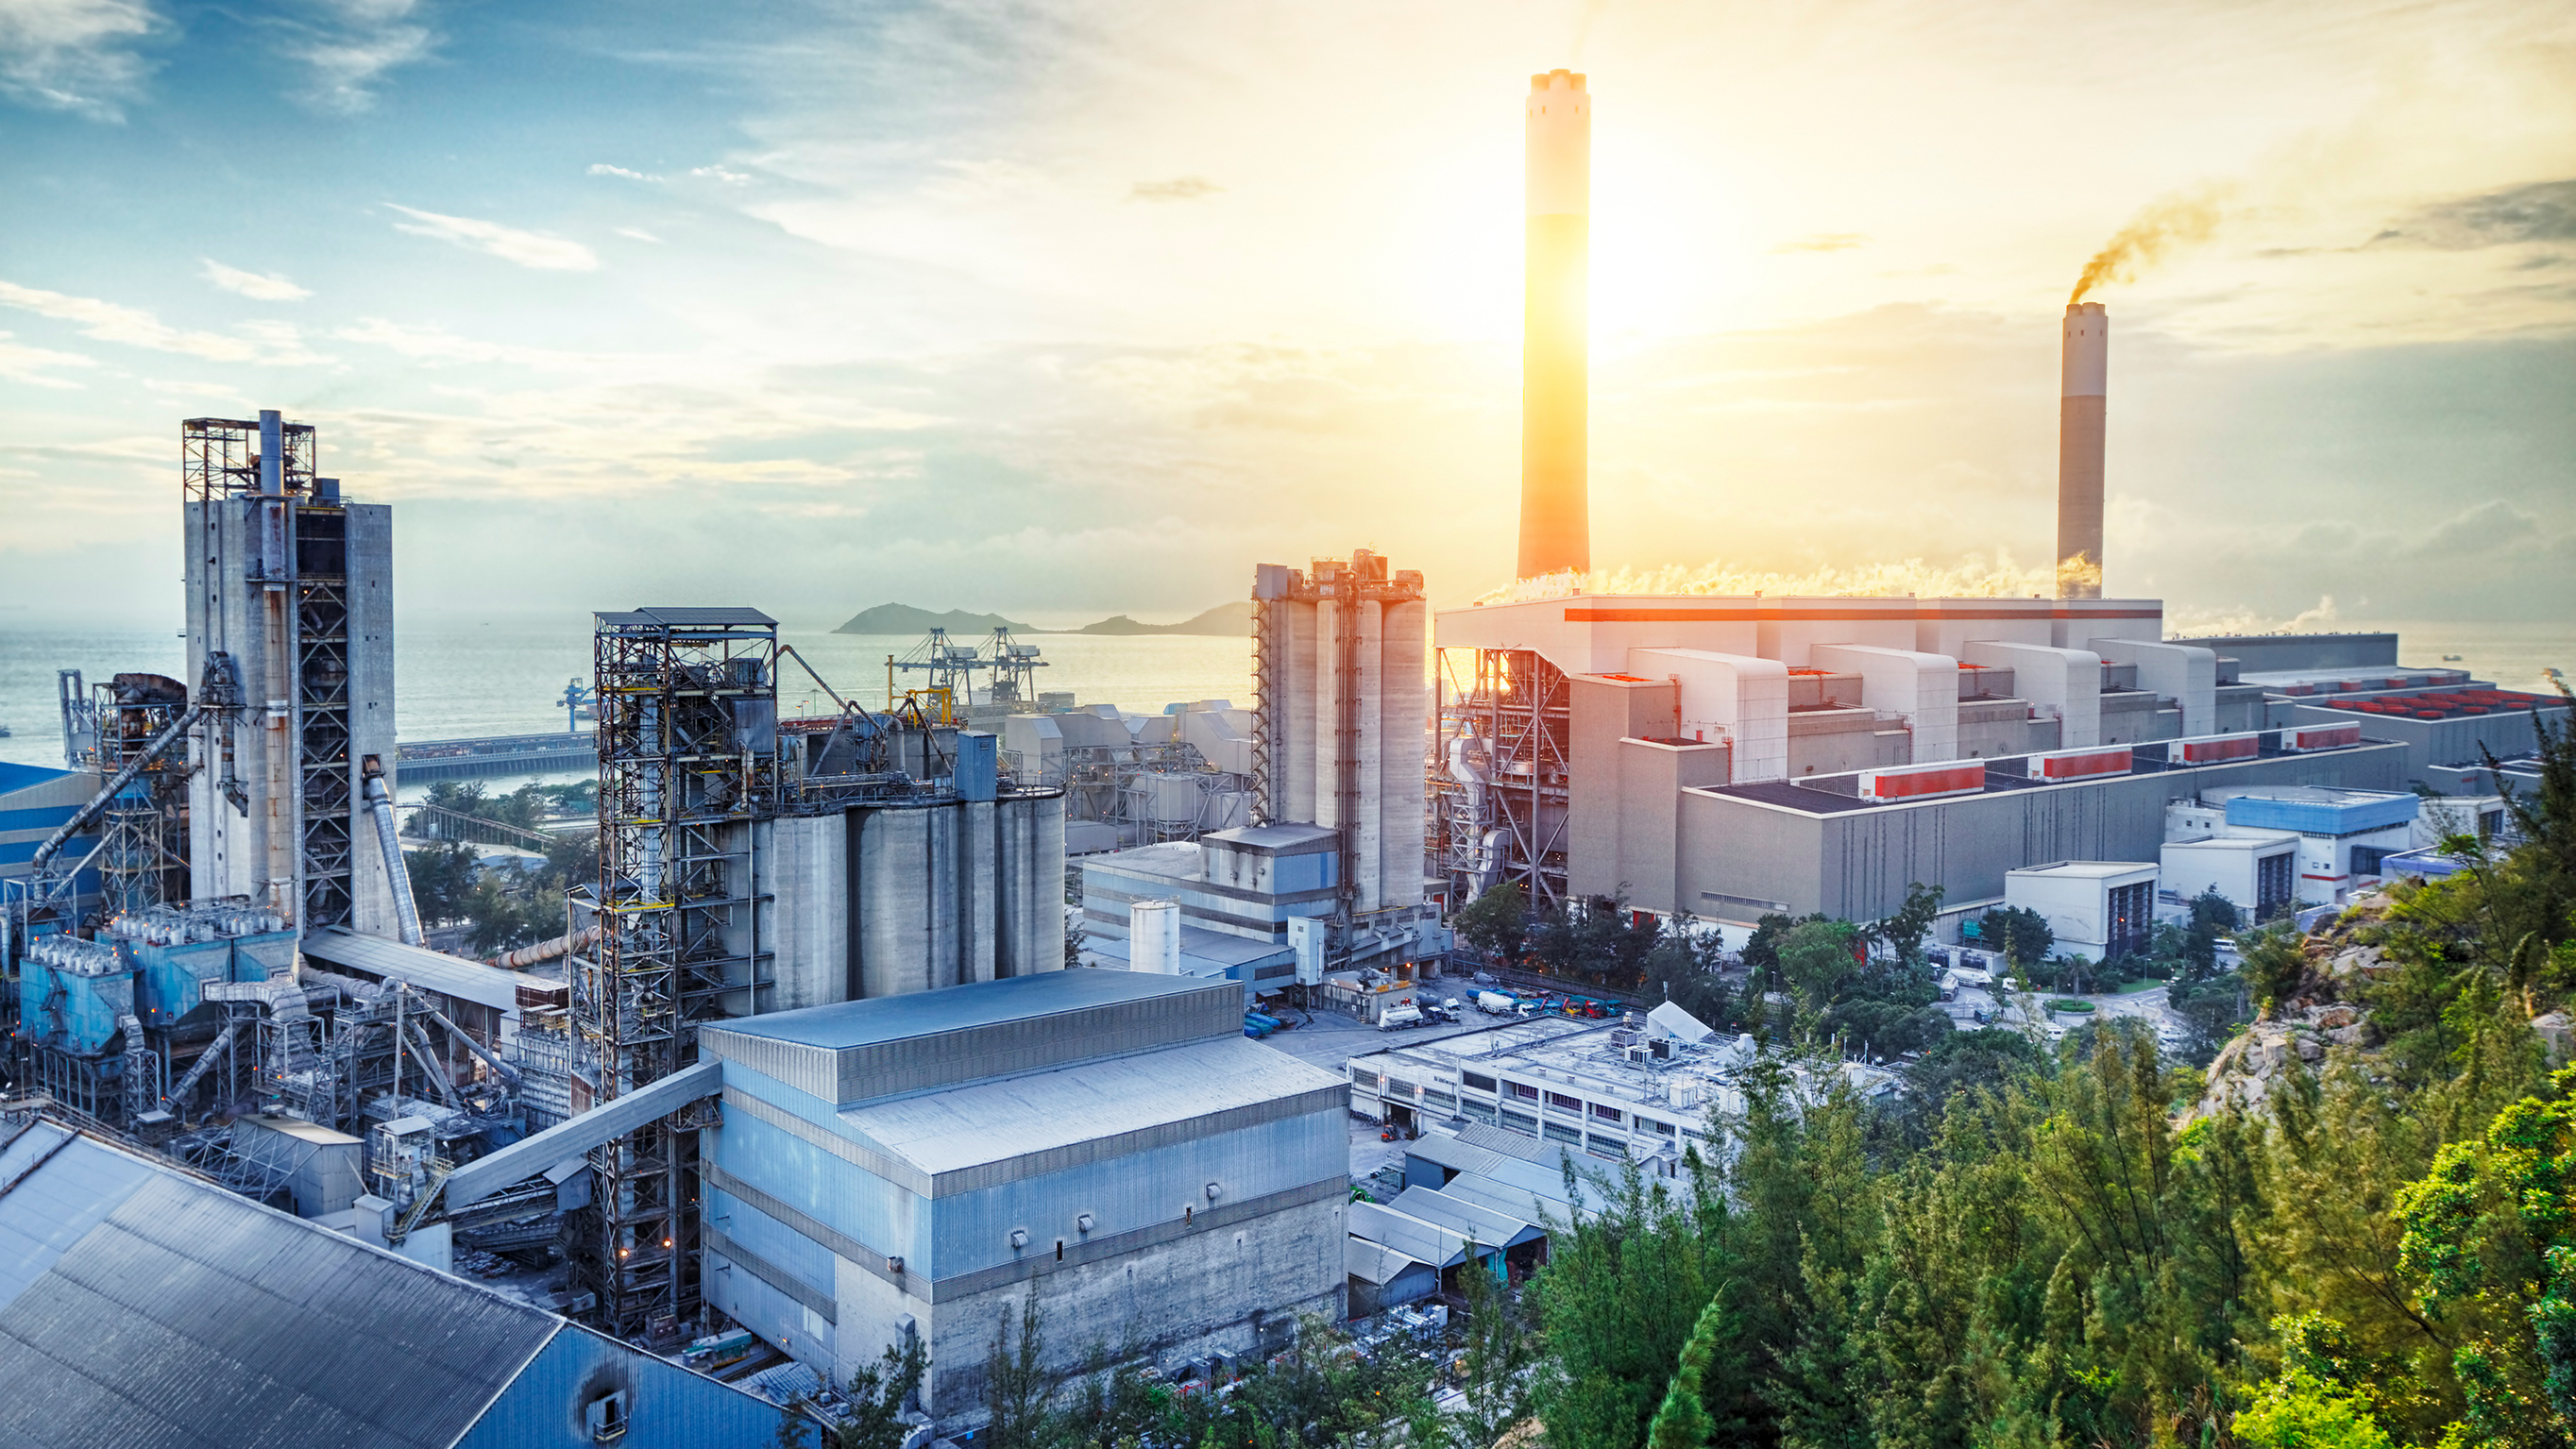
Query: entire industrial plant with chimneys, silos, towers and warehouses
column 882, row 1023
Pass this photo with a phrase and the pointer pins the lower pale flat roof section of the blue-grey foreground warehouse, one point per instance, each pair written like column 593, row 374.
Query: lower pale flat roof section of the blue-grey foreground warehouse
column 1037, row 1113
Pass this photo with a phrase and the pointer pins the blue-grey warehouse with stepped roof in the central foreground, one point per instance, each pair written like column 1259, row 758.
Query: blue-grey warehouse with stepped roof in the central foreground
column 1101, row 1141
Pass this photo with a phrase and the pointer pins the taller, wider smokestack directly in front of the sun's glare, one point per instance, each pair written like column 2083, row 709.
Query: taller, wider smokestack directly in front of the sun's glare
column 1555, row 354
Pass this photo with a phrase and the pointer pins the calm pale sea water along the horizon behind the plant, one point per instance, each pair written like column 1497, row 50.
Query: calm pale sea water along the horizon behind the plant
column 506, row 678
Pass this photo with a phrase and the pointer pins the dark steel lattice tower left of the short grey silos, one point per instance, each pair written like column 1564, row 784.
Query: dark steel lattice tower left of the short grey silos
column 689, row 761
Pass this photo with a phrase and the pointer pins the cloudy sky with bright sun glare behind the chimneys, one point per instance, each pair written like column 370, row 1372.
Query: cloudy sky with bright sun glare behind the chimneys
column 1088, row 308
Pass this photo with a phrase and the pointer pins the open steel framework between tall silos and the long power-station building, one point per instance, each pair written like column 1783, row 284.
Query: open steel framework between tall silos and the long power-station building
column 1508, row 827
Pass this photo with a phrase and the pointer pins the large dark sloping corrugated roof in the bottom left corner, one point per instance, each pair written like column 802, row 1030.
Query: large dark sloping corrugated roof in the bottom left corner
column 189, row 1316
